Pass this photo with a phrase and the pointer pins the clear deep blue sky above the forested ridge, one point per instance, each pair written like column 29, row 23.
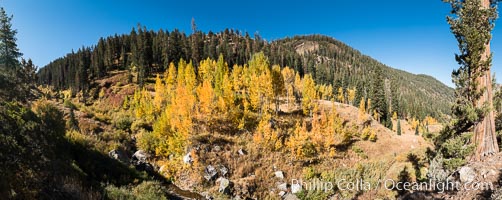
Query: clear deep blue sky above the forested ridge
column 408, row 35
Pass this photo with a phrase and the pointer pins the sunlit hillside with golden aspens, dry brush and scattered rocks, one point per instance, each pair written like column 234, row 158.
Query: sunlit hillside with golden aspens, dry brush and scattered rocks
column 242, row 134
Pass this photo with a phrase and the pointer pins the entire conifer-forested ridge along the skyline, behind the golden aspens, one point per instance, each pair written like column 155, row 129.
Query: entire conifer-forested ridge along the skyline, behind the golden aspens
column 329, row 61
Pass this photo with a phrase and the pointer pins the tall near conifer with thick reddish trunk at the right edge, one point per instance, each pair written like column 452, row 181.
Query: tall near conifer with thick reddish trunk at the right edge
column 472, row 23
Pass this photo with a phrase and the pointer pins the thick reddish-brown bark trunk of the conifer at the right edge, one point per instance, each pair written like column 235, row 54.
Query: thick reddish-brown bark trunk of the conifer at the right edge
column 484, row 131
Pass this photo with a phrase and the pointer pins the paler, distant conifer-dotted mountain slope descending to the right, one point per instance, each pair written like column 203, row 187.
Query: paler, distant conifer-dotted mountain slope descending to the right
column 416, row 95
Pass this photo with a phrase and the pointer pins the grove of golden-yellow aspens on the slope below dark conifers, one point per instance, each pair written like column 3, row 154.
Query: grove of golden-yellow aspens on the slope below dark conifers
column 246, row 97
